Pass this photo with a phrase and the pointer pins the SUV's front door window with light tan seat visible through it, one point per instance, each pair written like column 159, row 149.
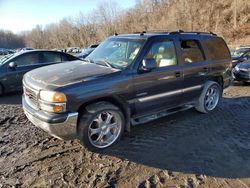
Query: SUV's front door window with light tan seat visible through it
column 163, row 53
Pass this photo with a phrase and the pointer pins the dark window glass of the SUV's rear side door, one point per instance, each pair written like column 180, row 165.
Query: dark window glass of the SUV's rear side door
column 191, row 51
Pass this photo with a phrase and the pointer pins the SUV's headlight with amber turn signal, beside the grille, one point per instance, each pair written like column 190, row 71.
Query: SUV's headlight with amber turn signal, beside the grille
column 51, row 101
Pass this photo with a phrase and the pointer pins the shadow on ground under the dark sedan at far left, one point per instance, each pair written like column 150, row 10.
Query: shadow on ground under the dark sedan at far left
column 14, row 98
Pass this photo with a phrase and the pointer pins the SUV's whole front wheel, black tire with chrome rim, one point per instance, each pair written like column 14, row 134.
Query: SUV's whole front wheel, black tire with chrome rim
column 100, row 125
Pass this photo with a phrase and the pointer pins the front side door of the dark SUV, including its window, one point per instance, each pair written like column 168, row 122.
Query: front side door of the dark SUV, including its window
column 160, row 88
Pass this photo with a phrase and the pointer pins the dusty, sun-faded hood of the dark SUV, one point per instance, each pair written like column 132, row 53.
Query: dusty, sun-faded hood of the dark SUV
column 64, row 74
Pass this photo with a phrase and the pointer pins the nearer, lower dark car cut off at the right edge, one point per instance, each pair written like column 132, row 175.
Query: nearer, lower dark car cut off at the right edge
column 241, row 72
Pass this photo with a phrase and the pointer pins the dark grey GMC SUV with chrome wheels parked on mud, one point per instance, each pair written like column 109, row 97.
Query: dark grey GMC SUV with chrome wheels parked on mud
column 129, row 79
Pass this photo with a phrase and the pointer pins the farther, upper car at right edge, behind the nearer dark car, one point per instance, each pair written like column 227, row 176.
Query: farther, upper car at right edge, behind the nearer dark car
column 239, row 55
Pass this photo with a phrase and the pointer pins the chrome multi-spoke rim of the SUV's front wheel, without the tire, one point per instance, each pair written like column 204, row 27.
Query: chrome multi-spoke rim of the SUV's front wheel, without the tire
column 105, row 129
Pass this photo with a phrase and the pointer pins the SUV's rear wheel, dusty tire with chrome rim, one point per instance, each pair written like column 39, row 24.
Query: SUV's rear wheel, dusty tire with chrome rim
column 209, row 98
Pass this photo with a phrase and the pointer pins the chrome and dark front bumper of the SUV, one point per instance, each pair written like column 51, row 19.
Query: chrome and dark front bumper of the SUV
column 65, row 128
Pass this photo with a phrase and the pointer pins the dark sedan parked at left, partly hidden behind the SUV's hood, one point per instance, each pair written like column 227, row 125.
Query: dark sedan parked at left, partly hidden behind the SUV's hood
column 14, row 66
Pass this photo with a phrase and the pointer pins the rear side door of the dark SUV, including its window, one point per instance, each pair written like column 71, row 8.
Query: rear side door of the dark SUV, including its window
column 195, row 67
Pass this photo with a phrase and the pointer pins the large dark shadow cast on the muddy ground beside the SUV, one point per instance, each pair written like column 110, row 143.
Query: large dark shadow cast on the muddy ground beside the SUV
column 215, row 144
